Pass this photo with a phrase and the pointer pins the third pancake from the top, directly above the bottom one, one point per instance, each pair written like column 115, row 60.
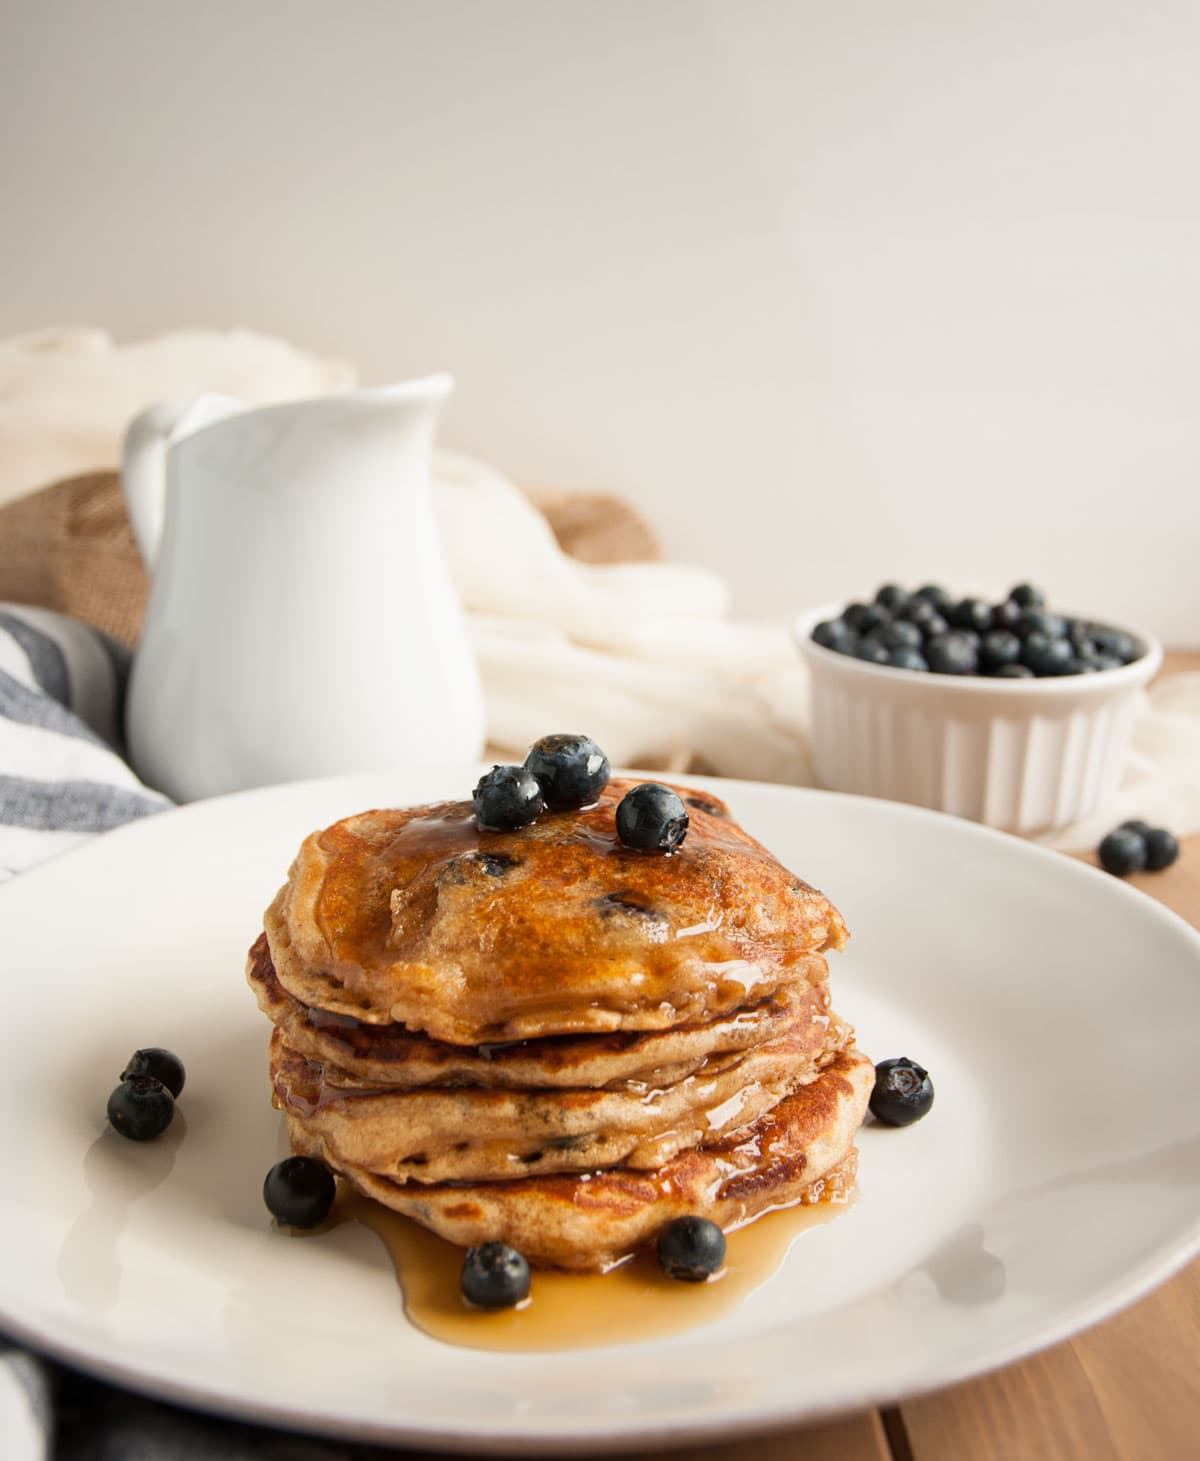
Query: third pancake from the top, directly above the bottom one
column 464, row 1133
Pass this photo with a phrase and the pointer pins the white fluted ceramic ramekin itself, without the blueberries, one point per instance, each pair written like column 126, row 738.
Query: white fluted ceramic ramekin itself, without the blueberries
column 1021, row 755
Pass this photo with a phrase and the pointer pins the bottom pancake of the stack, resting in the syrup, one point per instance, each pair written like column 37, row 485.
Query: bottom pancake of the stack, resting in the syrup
column 800, row 1152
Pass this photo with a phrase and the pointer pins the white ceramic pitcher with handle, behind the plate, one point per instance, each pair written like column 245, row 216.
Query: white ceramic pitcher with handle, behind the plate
column 302, row 620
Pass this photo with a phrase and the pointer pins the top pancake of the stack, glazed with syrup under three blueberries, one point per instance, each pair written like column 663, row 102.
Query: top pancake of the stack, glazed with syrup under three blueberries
column 417, row 917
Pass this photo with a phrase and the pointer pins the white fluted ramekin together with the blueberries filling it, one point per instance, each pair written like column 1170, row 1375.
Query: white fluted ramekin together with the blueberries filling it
column 1005, row 712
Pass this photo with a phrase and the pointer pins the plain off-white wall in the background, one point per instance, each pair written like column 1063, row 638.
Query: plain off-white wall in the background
column 837, row 291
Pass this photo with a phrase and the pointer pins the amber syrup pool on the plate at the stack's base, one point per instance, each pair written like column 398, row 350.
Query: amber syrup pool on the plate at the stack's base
column 631, row 1304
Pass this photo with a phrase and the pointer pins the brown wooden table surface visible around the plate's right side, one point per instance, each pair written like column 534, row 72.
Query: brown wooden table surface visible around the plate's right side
column 1129, row 1390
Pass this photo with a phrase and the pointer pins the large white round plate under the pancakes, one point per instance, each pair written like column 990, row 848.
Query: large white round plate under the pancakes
column 1056, row 1178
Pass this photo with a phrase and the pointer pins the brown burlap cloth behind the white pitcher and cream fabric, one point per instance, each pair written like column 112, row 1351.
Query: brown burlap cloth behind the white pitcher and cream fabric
column 69, row 547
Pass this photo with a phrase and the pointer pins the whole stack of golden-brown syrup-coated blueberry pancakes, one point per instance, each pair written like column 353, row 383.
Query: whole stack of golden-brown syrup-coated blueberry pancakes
column 550, row 1040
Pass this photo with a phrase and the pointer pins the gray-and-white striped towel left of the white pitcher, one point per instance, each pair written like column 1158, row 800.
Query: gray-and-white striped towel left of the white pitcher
column 62, row 777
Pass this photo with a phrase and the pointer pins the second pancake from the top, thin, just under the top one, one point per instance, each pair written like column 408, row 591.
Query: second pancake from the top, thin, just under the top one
column 395, row 1057
